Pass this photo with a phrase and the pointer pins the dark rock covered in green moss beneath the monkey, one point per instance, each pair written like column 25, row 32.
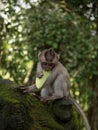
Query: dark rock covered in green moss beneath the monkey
column 20, row 111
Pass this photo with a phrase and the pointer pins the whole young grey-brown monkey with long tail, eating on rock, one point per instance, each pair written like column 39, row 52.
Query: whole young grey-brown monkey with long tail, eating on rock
column 57, row 84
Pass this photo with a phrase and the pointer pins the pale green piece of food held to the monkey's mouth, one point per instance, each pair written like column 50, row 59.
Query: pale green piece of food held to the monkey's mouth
column 41, row 81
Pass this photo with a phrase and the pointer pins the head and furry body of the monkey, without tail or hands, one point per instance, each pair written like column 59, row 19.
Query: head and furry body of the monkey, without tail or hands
column 57, row 84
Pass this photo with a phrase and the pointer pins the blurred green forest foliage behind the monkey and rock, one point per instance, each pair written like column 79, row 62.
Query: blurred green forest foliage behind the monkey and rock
column 68, row 26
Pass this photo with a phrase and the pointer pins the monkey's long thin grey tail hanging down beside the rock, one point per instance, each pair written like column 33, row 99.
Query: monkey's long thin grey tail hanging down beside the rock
column 81, row 113
